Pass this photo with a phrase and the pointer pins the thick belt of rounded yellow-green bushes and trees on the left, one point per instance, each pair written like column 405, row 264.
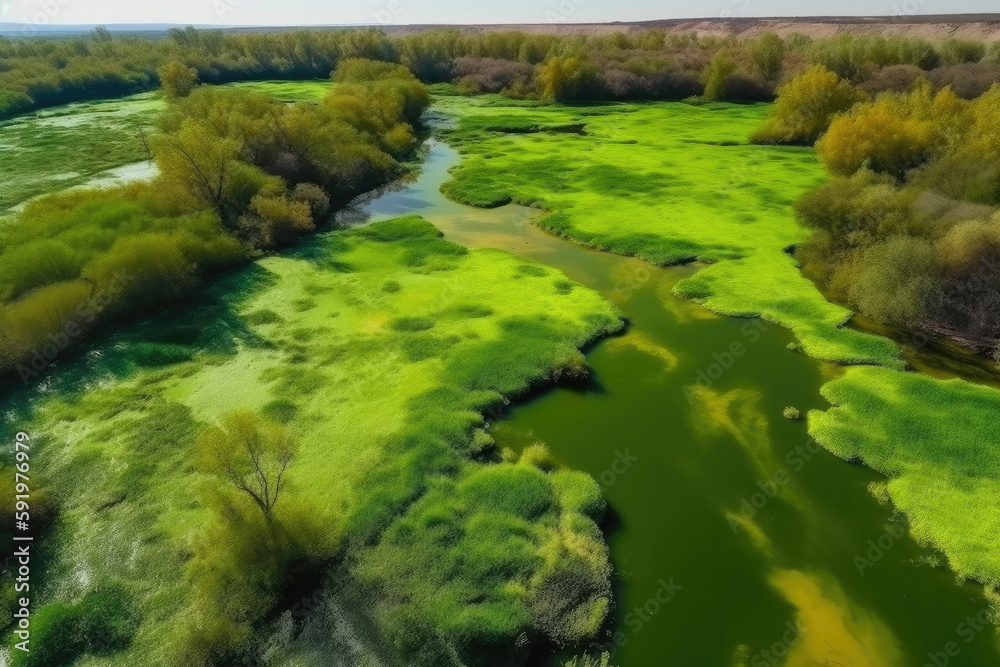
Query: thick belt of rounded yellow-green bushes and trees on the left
column 238, row 172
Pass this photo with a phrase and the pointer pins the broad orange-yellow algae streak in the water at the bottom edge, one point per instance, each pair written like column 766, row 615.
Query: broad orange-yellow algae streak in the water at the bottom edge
column 833, row 631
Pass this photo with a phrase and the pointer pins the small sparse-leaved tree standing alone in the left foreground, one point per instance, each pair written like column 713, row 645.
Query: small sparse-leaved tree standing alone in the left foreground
column 249, row 453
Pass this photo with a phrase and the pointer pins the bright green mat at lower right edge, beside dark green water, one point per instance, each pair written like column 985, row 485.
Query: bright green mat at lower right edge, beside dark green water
column 936, row 442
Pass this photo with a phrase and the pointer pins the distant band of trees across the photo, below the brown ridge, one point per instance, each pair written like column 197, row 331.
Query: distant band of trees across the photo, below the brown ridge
column 652, row 64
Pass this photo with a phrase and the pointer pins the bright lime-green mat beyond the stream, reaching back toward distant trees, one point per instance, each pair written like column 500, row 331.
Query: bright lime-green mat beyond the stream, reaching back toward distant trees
column 694, row 190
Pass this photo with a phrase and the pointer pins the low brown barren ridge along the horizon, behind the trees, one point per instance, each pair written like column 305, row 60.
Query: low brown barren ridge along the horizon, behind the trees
column 984, row 27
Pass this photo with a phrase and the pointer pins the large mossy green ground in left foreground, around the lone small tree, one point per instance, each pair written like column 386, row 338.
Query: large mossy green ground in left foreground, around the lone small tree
column 380, row 348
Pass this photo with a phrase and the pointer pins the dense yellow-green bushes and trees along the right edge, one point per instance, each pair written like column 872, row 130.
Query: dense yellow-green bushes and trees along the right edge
column 908, row 233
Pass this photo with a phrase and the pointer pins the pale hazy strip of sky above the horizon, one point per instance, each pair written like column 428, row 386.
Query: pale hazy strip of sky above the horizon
column 327, row 12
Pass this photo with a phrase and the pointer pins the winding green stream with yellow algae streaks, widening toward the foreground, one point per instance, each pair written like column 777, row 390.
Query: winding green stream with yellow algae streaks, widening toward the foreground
column 736, row 541
